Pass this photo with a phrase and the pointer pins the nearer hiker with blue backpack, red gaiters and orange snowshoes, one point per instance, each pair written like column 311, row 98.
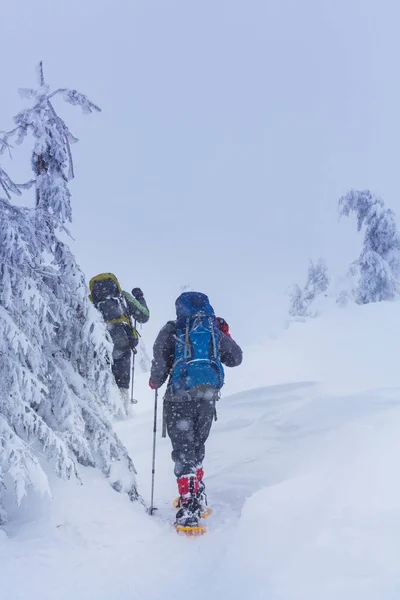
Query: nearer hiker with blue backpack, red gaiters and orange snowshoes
column 191, row 352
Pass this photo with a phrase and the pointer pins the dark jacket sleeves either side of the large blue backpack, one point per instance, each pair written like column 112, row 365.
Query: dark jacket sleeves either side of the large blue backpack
column 164, row 352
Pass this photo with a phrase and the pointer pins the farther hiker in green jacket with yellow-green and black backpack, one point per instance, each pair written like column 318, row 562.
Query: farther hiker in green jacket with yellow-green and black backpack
column 121, row 311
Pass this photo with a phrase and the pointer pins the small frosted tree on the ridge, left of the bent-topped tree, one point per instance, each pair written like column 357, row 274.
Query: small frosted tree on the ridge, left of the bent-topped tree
column 317, row 283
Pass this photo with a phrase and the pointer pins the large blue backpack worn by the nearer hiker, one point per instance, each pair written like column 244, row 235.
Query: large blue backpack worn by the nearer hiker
column 197, row 359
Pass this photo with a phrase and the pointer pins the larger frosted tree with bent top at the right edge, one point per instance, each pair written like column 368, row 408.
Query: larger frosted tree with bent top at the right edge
column 378, row 266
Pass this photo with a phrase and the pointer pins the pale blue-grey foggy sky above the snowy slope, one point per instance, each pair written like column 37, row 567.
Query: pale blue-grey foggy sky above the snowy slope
column 229, row 131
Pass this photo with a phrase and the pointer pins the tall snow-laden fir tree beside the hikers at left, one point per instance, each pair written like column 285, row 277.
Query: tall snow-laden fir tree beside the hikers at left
column 57, row 394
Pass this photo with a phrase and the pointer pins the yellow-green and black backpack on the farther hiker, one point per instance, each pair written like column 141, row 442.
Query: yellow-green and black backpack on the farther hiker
column 106, row 295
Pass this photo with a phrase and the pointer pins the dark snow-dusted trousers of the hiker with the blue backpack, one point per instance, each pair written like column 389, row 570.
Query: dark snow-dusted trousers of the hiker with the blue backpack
column 188, row 425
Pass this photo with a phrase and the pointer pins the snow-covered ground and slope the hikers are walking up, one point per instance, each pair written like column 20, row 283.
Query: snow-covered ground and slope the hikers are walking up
column 302, row 477
